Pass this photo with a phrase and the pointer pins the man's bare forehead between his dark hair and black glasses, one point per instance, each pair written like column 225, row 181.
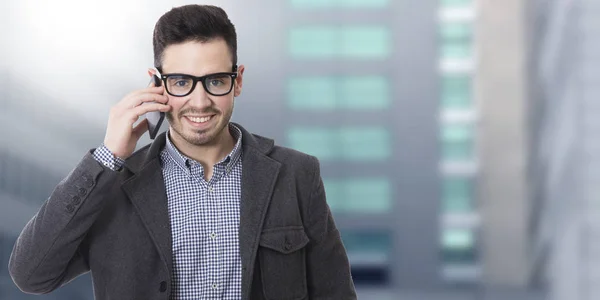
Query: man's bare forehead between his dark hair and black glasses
column 197, row 58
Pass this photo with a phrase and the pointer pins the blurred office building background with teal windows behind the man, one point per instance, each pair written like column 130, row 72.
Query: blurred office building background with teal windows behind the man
column 457, row 138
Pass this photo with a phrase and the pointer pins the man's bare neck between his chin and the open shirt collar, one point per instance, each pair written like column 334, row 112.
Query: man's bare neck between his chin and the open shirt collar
column 209, row 154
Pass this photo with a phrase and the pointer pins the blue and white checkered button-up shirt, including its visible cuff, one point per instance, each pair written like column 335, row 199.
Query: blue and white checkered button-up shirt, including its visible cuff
column 204, row 221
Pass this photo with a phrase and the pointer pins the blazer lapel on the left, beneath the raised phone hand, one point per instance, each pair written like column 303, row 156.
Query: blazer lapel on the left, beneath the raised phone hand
column 146, row 190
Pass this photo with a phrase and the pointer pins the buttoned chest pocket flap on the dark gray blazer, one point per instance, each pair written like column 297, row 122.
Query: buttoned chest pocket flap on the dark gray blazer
column 285, row 240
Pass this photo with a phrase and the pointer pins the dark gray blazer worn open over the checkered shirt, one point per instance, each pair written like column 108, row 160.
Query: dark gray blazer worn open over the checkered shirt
column 116, row 225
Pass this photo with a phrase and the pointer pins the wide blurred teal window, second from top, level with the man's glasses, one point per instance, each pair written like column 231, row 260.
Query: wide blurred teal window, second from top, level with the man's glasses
column 329, row 93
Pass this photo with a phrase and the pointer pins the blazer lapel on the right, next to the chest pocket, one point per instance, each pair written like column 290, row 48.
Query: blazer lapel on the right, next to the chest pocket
column 259, row 174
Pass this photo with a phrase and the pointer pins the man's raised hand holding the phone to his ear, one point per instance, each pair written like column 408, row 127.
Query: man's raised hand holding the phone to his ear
column 121, row 137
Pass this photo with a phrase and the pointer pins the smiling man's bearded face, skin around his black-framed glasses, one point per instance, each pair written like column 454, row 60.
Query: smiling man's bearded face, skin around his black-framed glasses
column 200, row 118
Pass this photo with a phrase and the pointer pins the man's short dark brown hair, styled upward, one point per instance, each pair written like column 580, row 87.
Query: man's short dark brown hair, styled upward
column 201, row 23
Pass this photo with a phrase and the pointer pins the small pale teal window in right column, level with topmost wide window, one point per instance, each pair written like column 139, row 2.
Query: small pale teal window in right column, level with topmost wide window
column 456, row 40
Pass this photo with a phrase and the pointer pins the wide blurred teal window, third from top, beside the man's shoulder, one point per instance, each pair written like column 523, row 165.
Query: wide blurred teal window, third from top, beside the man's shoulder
column 342, row 144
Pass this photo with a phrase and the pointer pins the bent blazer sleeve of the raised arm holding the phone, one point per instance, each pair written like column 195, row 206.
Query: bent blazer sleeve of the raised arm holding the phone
column 47, row 254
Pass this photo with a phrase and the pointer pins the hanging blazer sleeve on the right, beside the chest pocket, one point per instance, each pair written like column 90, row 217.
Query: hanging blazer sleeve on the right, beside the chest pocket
column 328, row 267
